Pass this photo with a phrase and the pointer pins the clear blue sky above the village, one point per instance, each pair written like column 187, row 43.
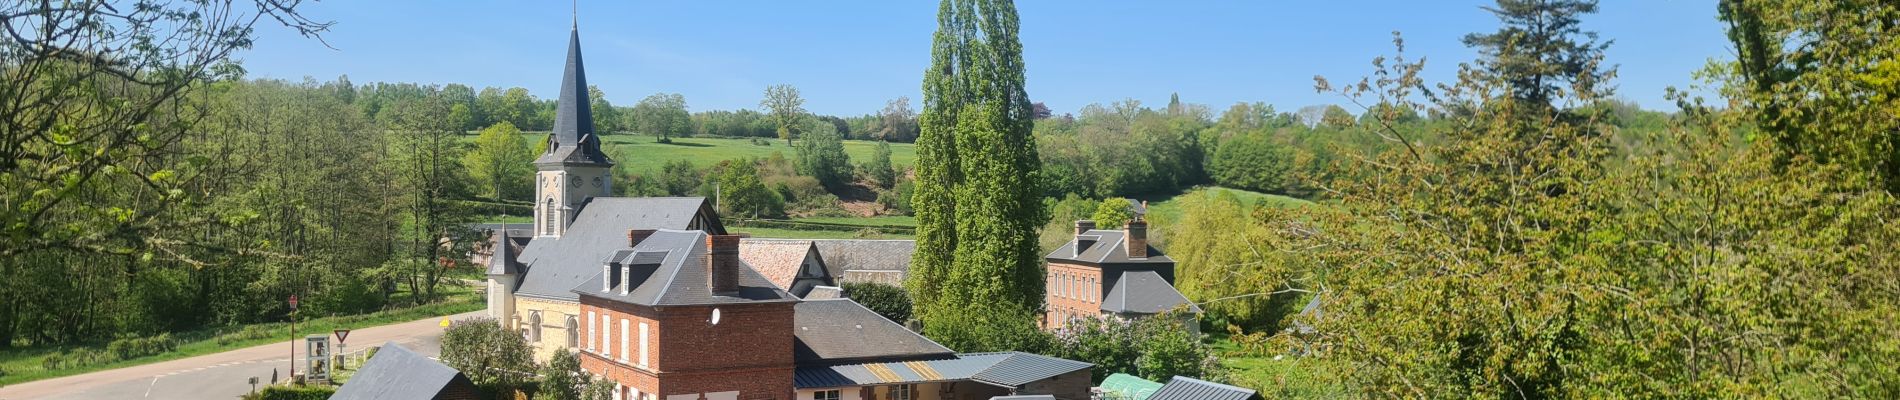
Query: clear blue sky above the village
column 850, row 58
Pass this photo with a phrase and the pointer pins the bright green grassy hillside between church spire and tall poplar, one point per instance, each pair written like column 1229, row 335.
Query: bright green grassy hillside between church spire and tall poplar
column 639, row 153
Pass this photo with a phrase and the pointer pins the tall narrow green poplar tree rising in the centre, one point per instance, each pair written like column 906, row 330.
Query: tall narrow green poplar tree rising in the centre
column 978, row 270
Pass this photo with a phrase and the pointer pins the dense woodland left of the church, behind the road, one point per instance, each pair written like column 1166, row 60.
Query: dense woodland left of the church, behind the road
column 168, row 194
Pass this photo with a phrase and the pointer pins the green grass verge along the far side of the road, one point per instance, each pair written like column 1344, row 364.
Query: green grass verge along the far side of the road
column 29, row 363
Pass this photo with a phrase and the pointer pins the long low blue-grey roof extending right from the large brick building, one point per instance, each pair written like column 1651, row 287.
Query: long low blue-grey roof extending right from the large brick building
column 995, row 369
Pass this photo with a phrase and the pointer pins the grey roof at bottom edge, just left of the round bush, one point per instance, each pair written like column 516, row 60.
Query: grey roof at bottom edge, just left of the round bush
column 400, row 374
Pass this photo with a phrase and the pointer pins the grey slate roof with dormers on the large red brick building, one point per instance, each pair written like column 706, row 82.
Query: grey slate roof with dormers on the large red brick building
column 679, row 278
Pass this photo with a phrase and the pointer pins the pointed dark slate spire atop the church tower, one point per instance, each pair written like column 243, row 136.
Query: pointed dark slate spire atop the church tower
column 575, row 139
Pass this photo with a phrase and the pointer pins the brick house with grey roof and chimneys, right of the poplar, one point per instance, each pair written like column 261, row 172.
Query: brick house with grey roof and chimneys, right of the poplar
column 1112, row 274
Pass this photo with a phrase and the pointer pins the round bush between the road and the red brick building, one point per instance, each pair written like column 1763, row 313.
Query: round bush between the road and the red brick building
column 489, row 355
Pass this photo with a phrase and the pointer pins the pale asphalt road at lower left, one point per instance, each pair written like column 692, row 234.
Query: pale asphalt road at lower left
column 223, row 374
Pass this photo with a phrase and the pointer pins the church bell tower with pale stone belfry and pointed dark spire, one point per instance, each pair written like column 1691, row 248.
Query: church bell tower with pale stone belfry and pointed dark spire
column 573, row 170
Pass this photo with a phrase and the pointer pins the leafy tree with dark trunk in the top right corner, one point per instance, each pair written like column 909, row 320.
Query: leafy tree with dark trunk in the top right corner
column 1819, row 79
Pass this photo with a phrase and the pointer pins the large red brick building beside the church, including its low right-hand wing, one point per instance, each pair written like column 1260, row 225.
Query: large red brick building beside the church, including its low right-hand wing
column 679, row 316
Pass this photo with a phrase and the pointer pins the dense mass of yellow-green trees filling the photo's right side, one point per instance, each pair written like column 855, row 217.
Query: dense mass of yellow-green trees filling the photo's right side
column 1529, row 238
